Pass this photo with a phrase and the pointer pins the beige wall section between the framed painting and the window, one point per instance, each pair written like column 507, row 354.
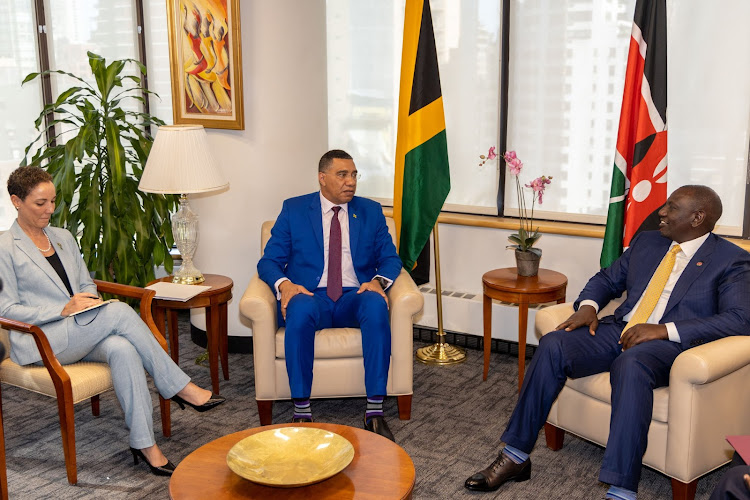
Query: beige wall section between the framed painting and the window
column 275, row 157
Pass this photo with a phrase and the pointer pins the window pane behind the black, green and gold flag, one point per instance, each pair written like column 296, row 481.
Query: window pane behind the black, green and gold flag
column 364, row 68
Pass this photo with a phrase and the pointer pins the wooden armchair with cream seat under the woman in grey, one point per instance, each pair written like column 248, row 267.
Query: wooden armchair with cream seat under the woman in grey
column 76, row 382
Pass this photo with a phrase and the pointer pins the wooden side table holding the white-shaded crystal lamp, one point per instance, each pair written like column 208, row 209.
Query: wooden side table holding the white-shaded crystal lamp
column 215, row 301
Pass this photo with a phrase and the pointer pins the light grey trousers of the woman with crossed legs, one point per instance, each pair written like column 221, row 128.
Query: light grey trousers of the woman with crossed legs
column 116, row 335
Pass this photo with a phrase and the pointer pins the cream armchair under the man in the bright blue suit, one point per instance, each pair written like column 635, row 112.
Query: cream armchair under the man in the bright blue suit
column 339, row 368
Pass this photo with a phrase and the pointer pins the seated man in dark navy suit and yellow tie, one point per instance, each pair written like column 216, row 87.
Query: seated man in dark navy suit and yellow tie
column 703, row 294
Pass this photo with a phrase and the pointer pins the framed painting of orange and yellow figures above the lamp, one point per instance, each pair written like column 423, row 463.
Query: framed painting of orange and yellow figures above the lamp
column 206, row 63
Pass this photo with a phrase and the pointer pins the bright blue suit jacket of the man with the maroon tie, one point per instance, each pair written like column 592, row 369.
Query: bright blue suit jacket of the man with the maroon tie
column 295, row 250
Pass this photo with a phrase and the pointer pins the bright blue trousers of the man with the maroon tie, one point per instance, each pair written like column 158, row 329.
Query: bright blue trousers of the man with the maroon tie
column 306, row 314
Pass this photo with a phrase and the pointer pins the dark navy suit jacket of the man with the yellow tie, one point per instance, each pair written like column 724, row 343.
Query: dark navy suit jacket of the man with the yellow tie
column 710, row 300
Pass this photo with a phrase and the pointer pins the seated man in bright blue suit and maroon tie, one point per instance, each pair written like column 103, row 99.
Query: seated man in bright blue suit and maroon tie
column 330, row 259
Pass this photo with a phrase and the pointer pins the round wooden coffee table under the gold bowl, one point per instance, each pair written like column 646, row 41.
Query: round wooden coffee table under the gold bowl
column 380, row 469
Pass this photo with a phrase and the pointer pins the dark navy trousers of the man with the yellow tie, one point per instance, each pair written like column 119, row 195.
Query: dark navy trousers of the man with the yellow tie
column 634, row 374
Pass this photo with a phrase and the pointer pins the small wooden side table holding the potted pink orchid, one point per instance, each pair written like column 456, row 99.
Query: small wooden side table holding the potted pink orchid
column 505, row 284
